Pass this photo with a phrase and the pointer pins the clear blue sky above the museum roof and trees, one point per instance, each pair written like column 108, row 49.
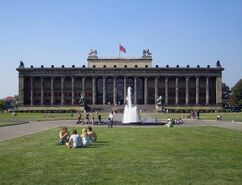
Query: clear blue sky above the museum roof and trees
column 61, row 32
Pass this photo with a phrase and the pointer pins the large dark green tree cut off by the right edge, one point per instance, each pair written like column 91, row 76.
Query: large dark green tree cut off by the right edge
column 236, row 96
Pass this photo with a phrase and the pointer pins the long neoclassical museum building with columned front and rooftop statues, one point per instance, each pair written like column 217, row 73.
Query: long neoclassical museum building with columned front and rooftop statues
column 105, row 81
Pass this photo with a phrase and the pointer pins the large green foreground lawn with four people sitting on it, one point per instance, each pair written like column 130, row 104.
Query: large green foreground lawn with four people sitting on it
column 179, row 155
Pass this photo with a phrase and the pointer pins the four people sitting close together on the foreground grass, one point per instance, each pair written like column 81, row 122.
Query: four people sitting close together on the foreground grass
column 87, row 138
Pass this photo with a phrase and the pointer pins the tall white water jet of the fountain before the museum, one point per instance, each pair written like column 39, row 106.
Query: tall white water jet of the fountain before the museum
column 130, row 112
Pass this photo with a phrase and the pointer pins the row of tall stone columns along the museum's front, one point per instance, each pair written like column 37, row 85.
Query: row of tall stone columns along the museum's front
column 93, row 81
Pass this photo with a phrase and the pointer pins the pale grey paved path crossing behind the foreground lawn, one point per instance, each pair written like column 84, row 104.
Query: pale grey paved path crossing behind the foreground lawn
column 10, row 132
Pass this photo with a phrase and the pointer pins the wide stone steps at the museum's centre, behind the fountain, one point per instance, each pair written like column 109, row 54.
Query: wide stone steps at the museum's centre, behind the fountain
column 119, row 108
